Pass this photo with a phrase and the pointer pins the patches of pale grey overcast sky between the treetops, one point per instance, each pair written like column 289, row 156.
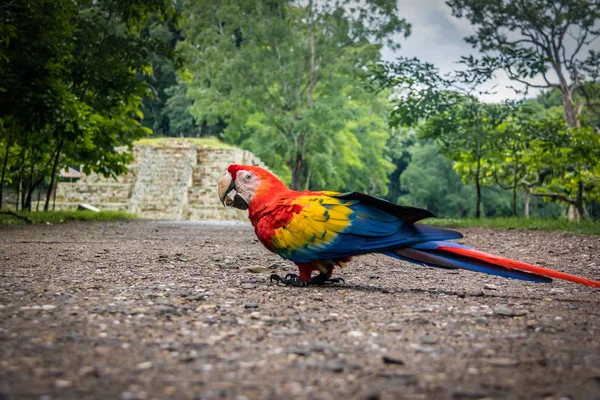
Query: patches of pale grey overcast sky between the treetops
column 437, row 37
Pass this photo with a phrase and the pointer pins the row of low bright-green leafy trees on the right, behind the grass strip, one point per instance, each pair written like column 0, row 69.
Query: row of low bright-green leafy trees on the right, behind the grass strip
column 525, row 148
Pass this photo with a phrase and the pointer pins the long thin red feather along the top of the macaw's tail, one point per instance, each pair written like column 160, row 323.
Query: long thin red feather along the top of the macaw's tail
column 512, row 264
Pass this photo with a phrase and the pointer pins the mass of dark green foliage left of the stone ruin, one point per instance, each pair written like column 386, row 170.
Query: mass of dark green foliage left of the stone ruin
column 71, row 91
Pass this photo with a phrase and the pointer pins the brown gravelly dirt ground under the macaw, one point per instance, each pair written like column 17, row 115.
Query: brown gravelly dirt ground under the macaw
column 155, row 310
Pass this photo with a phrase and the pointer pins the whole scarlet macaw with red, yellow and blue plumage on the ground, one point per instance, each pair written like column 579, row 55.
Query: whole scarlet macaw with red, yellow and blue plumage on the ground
column 321, row 230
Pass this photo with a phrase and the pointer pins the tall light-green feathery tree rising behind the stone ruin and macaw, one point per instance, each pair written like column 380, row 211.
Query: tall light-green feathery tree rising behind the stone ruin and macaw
column 282, row 71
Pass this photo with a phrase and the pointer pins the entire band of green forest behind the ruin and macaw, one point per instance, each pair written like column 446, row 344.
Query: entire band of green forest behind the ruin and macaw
column 304, row 86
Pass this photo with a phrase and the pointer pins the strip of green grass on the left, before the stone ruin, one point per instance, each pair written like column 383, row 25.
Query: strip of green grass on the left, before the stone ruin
column 61, row 217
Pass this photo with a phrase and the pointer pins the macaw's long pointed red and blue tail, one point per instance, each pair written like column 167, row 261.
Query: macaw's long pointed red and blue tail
column 449, row 255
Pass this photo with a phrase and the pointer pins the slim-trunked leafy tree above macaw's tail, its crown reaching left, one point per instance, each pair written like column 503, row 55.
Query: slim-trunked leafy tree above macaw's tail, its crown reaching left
column 462, row 126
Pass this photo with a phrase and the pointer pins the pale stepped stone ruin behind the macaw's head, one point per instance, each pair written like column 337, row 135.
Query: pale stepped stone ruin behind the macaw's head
column 171, row 180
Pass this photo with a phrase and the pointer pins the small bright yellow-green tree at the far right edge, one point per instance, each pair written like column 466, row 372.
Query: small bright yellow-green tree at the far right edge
column 548, row 157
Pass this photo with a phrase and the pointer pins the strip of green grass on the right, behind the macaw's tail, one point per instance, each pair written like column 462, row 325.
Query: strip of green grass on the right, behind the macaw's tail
column 585, row 227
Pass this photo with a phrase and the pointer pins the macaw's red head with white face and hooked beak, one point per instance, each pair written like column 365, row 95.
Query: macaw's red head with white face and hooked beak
column 250, row 183
